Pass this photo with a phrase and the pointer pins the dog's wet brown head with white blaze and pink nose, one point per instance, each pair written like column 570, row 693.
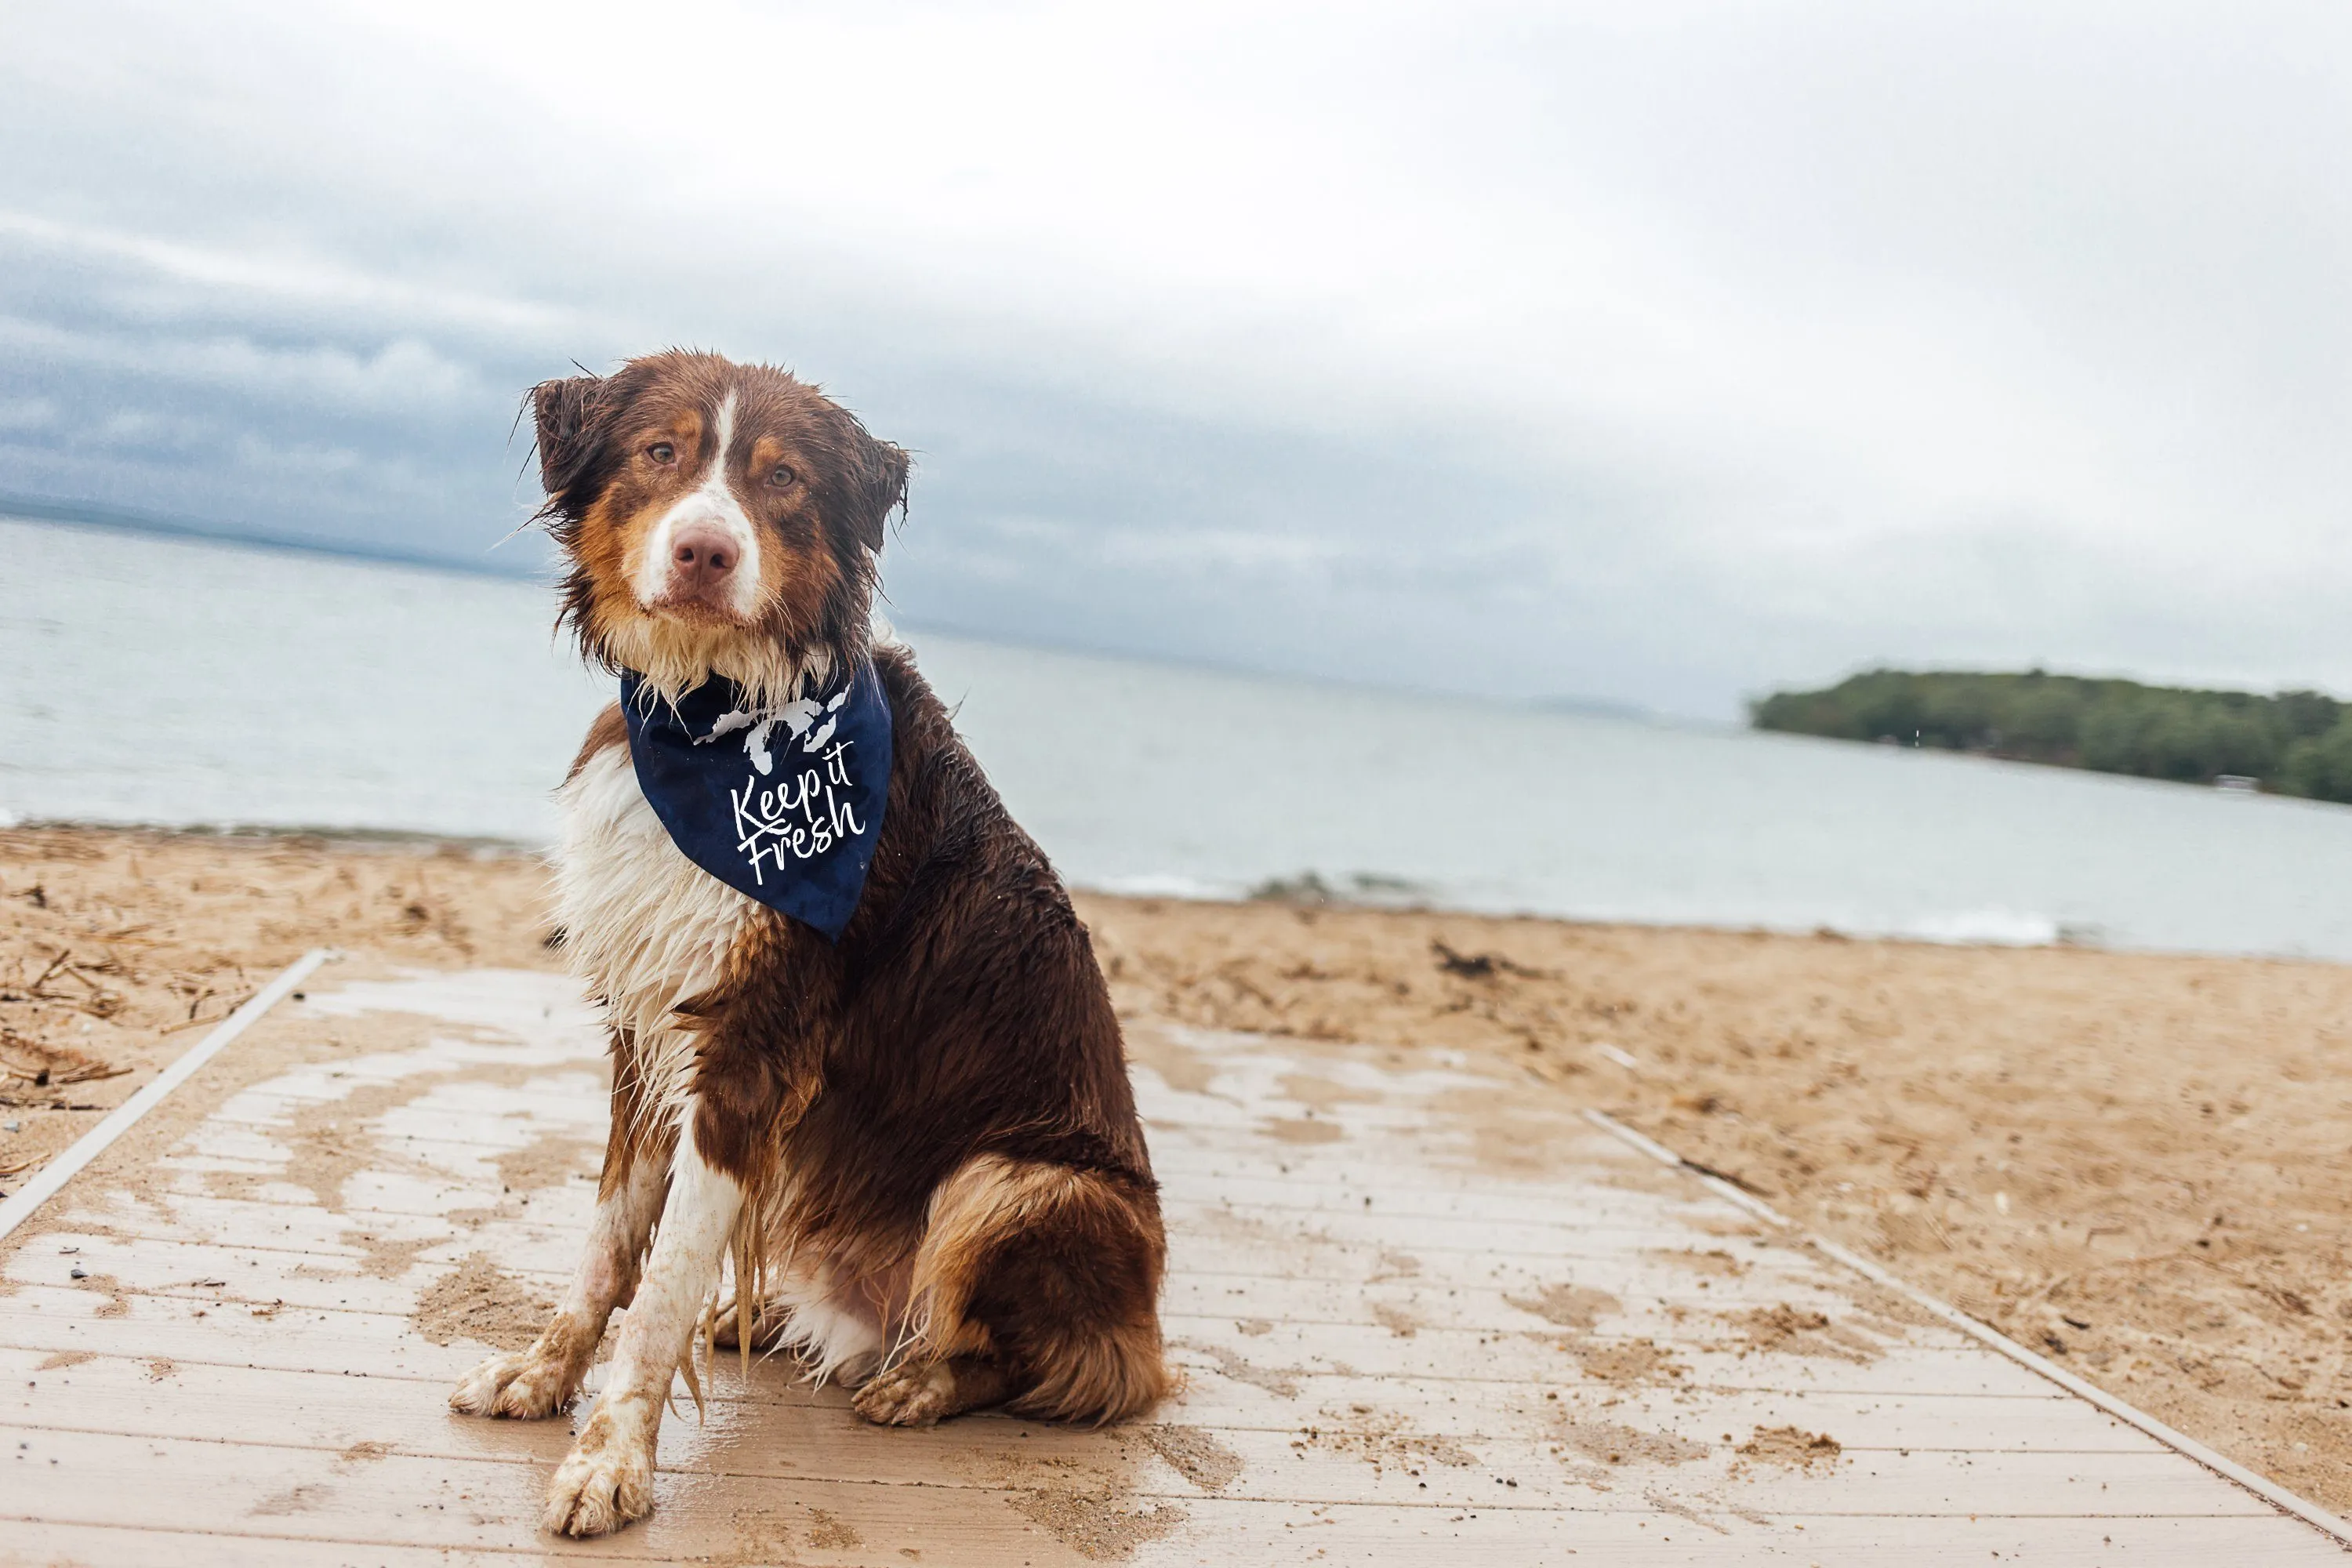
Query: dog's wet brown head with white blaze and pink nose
column 719, row 518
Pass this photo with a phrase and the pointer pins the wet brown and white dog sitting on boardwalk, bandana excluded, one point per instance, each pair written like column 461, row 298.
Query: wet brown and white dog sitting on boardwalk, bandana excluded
column 916, row 1146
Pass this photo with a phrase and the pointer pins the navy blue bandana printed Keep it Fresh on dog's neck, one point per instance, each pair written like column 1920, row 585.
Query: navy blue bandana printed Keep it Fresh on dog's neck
column 780, row 805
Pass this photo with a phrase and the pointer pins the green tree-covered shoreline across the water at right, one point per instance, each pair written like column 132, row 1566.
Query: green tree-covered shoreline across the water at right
column 2294, row 742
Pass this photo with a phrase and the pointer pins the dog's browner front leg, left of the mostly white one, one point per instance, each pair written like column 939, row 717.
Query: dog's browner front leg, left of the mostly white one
column 540, row 1381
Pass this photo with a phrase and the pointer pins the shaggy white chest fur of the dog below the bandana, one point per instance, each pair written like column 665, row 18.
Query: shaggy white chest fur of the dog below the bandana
column 643, row 925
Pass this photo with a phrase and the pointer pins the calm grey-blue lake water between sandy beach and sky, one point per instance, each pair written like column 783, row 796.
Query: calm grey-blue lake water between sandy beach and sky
column 163, row 681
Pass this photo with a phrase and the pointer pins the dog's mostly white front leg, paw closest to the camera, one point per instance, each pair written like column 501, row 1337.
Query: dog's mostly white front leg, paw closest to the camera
column 610, row 1475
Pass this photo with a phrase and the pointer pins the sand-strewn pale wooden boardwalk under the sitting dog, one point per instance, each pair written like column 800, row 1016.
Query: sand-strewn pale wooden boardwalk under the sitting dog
column 1426, row 1318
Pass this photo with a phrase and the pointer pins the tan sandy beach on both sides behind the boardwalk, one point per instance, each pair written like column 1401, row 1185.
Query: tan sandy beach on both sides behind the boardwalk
column 2127, row 1162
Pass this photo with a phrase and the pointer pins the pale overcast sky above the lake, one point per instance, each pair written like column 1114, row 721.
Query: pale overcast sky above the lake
column 1650, row 351
